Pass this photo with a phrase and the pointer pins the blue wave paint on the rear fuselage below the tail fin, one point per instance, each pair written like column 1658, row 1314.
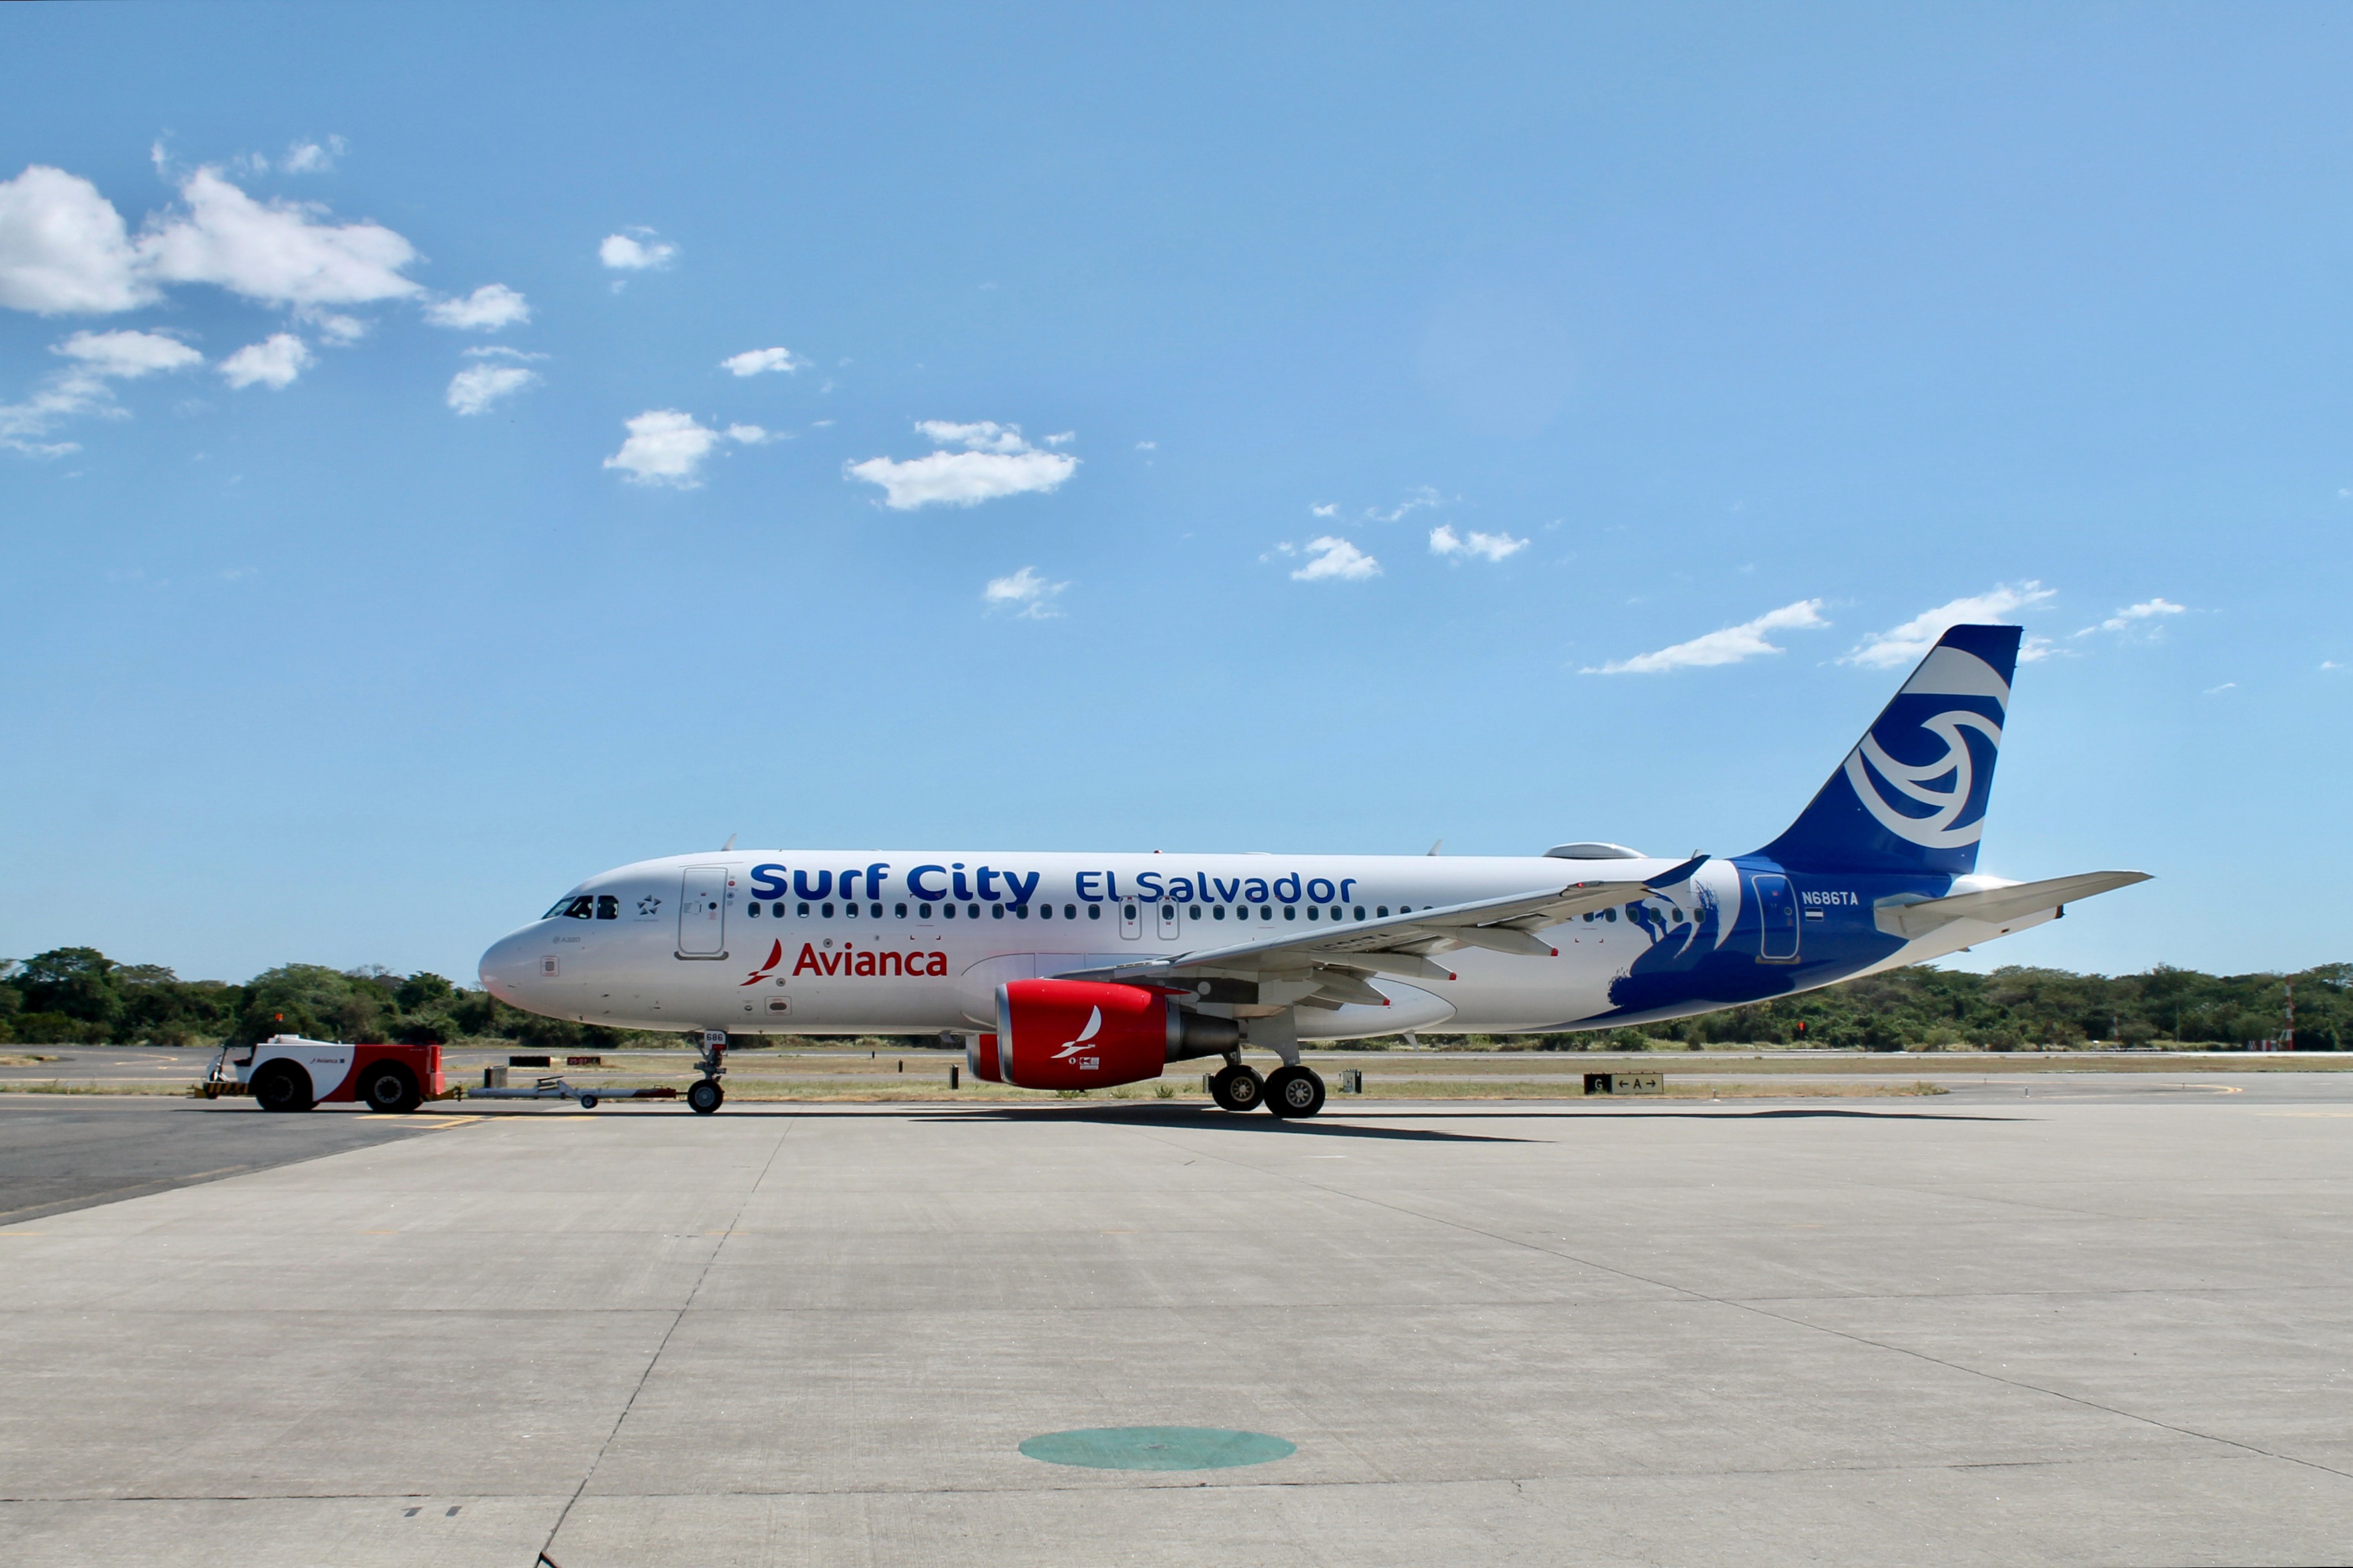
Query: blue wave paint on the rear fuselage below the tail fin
column 1686, row 971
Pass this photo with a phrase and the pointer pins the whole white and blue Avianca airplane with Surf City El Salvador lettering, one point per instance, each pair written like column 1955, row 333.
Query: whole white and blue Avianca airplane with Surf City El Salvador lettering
column 1084, row 971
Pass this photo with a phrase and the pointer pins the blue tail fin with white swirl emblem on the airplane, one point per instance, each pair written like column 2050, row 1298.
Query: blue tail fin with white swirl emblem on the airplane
column 1912, row 797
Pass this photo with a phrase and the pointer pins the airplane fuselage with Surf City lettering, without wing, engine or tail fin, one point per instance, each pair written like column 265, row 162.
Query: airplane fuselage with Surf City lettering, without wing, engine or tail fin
column 919, row 941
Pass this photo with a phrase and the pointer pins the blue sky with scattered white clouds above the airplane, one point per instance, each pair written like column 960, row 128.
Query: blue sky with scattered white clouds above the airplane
column 1161, row 430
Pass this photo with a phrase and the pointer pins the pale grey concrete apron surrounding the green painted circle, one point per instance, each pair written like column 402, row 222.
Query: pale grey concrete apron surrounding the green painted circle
column 2100, row 1322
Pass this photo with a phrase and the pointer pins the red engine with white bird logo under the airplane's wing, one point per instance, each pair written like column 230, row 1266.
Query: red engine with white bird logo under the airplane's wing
column 1093, row 1035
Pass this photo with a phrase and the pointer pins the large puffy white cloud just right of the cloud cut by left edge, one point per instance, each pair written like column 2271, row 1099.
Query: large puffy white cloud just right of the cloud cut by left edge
column 276, row 253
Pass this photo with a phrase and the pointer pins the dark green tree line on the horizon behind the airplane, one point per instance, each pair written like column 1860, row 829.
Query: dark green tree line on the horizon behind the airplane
column 79, row 995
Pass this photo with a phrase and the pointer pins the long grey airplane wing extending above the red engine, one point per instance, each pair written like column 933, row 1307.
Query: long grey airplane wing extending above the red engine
column 1347, row 957
